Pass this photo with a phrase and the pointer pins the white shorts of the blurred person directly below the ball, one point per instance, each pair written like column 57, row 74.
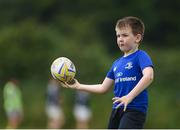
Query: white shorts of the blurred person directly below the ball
column 54, row 112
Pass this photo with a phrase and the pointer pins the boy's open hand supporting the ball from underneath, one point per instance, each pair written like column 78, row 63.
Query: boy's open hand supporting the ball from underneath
column 72, row 84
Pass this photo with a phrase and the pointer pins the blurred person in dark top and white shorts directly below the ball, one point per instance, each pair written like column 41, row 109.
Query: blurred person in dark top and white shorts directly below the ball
column 54, row 110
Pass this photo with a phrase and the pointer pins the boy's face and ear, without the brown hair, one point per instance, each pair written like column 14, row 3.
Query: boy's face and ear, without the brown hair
column 126, row 40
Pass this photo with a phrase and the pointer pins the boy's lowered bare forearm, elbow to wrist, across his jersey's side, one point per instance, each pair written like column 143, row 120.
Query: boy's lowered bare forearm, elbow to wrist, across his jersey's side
column 142, row 84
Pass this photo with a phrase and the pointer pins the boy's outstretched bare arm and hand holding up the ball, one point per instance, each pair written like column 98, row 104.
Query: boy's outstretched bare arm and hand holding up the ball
column 96, row 88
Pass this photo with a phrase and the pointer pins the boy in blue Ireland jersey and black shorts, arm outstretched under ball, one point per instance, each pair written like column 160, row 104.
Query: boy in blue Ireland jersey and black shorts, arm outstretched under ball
column 131, row 74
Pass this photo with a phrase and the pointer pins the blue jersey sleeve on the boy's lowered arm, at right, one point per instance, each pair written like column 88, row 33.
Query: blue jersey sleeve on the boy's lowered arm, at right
column 144, row 60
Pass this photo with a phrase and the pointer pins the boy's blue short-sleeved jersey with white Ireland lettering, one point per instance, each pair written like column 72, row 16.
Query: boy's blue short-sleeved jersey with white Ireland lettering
column 126, row 72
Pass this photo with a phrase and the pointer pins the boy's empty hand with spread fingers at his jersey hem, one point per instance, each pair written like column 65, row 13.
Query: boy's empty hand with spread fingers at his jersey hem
column 125, row 100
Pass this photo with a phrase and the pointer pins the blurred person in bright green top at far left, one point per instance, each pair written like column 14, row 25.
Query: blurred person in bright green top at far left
column 13, row 103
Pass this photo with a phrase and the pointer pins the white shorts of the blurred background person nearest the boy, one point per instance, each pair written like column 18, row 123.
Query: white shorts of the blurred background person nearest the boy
column 82, row 113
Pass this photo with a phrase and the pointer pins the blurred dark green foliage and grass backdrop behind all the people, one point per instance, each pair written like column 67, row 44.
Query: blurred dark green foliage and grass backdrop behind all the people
column 34, row 33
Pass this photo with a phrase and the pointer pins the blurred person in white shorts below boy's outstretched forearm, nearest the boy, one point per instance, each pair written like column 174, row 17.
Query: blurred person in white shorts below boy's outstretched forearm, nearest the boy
column 82, row 112
